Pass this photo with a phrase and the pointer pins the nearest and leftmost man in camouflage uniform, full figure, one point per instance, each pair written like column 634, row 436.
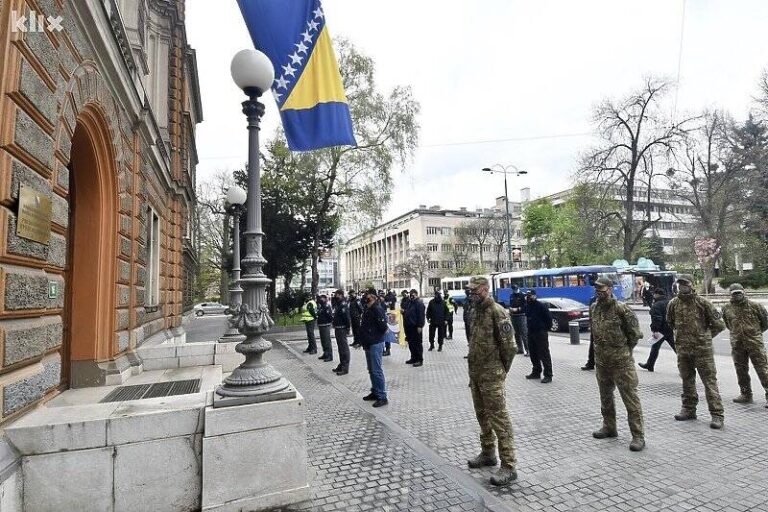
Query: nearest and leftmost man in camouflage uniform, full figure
column 491, row 350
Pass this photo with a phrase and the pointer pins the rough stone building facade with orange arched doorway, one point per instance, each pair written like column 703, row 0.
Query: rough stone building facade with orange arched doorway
column 99, row 100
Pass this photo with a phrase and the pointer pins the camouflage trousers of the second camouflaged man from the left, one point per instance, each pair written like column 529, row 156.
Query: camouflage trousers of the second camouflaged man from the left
column 624, row 377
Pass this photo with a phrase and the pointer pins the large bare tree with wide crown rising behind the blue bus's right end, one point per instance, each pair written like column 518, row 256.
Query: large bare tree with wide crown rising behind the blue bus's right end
column 635, row 136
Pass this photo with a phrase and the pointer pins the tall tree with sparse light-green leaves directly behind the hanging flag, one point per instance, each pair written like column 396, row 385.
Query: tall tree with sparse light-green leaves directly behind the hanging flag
column 355, row 183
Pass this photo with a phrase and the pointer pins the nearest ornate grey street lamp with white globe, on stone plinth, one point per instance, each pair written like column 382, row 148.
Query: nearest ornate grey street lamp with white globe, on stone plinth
column 254, row 380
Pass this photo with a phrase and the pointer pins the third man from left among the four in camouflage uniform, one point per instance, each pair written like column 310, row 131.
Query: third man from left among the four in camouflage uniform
column 695, row 322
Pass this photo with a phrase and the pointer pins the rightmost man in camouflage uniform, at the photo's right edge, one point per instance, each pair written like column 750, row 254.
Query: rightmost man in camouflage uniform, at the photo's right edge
column 747, row 321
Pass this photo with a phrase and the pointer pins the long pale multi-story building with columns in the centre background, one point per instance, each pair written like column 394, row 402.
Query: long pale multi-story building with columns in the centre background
column 372, row 257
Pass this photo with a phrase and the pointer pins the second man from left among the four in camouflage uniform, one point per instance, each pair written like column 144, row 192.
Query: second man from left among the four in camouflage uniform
column 615, row 332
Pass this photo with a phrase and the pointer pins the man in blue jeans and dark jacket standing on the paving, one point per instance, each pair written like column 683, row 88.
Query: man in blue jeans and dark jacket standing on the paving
column 373, row 327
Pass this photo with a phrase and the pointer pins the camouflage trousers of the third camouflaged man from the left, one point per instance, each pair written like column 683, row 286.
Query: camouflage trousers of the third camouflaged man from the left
column 702, row 360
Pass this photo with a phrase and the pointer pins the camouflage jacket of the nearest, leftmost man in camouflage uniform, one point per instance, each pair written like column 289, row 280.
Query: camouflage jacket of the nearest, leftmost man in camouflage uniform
column 492, row 342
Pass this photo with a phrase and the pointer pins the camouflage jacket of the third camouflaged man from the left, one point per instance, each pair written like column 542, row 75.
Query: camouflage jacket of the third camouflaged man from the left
column 695, row 321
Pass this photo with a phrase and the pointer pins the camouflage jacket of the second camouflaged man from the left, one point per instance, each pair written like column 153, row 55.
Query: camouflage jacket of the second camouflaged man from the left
column 615, row 331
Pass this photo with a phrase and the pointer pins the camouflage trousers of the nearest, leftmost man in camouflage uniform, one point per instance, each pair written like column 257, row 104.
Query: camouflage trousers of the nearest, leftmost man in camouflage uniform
column 488, row 397
